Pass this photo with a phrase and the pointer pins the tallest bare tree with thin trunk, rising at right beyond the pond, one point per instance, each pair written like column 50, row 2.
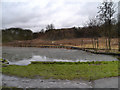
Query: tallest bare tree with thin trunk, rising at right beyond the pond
column 106, row 13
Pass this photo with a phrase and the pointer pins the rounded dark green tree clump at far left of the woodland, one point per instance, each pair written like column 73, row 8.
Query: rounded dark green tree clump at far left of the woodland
column 12, row 34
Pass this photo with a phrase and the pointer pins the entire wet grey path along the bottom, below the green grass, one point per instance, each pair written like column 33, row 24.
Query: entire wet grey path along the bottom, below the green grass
column 12, row 81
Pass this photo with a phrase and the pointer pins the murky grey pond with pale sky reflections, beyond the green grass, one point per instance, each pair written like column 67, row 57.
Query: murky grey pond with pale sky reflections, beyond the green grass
column 24, row 55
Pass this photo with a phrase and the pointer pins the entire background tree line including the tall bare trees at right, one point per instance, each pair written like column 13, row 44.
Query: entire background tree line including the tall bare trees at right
column 103, row 25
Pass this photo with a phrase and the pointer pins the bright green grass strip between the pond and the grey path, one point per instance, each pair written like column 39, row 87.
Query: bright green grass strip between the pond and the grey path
column 65, row 70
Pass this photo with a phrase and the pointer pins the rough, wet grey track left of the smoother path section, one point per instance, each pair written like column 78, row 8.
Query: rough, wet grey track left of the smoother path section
column 11, row 81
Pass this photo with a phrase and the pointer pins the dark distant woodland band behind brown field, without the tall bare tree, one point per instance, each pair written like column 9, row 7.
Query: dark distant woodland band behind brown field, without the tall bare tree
column 12, row 34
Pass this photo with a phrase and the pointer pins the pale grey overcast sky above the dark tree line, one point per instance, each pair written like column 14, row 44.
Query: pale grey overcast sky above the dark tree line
column 36, row 14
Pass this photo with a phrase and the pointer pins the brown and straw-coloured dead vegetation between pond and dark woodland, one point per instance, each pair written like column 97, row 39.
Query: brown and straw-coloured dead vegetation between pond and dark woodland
column 79, row 42
